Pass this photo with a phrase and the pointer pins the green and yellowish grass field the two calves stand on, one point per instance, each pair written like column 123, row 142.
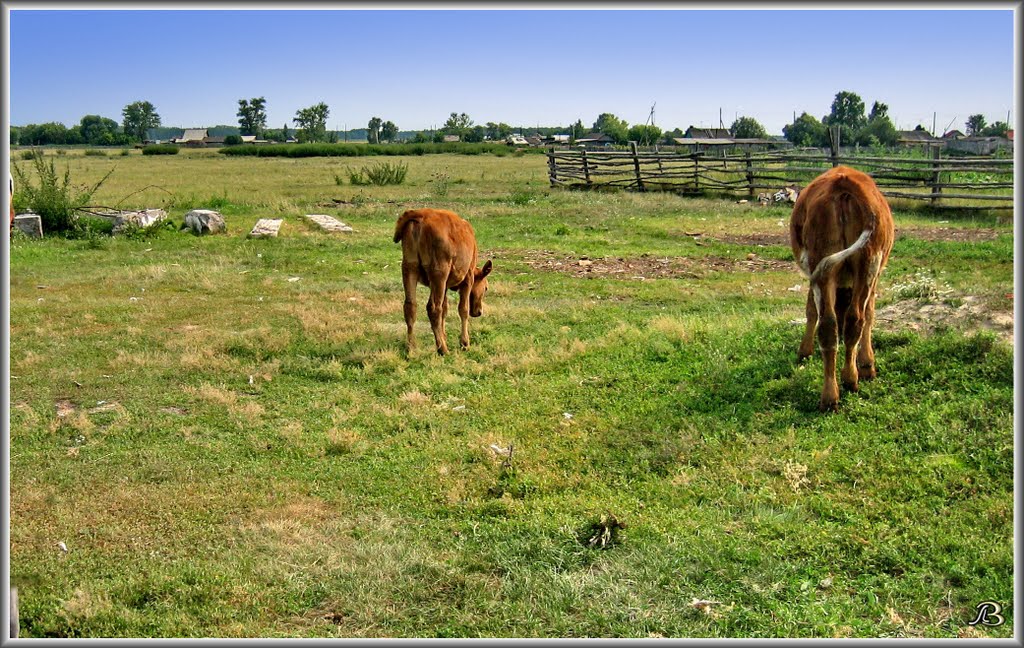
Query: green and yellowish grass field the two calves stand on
column 229, row 440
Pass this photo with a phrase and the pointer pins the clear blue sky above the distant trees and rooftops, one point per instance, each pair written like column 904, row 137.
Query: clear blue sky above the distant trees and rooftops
column 522, row 67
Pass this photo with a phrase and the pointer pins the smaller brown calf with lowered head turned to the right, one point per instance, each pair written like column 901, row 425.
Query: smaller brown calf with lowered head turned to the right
column 439, row 250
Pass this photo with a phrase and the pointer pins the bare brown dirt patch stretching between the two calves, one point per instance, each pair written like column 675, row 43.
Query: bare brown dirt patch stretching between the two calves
column 643, row 268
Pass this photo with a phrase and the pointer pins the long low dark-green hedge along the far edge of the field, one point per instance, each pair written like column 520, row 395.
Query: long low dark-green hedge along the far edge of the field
column 343, row 150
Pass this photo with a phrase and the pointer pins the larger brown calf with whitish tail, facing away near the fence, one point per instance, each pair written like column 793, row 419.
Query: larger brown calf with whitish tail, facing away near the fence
column 841, row 233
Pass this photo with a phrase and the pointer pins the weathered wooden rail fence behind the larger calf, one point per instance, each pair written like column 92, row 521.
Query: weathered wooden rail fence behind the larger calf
column 960, row 183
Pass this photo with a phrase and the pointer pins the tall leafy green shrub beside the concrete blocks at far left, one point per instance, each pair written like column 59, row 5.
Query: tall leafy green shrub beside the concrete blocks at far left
column 55, row 199
